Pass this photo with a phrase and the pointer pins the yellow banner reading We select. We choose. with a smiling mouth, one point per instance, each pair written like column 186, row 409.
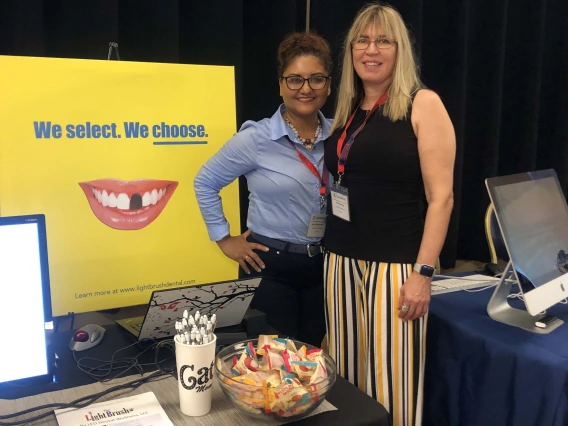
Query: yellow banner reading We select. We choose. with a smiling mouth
column 108, row 151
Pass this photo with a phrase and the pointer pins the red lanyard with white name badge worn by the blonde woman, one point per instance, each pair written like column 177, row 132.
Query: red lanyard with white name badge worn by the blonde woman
column 340, row 194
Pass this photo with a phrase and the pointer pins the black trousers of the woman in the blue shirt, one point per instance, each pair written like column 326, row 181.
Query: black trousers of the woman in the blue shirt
column 291, row 294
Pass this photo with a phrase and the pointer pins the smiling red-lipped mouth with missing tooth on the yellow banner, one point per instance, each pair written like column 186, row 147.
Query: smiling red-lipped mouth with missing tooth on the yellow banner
column 128, row 205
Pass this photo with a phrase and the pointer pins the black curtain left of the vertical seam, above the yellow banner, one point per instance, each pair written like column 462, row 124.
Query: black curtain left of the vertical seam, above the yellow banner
column 242, row 33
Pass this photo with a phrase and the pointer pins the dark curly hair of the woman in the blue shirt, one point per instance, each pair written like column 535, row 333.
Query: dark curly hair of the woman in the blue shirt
column 303, row 44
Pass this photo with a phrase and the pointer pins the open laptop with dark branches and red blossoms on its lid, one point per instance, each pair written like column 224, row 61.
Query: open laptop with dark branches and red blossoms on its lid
column 228, row 300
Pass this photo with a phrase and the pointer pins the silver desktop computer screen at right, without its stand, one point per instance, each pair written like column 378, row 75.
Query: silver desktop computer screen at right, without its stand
column 533, row 217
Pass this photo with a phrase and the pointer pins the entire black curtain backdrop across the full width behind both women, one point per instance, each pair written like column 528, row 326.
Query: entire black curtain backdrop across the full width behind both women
column 499, row 66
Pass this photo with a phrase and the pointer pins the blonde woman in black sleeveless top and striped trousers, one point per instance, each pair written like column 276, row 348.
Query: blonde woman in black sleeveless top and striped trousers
column 392, row 142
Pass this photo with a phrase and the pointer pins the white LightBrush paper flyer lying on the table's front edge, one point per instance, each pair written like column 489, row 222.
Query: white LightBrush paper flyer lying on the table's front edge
column 137, row 410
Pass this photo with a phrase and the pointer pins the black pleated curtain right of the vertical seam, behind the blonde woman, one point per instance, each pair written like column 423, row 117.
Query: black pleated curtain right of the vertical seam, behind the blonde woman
column 500, row 67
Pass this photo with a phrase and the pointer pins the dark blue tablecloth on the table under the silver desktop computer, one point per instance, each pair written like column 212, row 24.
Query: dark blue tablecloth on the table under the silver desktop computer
column 480, row 372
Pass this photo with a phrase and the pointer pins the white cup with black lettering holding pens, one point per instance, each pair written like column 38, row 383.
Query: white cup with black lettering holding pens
column 195, row 376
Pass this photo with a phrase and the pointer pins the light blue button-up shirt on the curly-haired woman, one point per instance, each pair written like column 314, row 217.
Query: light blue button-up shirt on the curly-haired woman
column 284, row 193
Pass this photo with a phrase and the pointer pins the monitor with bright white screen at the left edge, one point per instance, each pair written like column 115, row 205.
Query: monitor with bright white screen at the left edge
column 26, row 307
